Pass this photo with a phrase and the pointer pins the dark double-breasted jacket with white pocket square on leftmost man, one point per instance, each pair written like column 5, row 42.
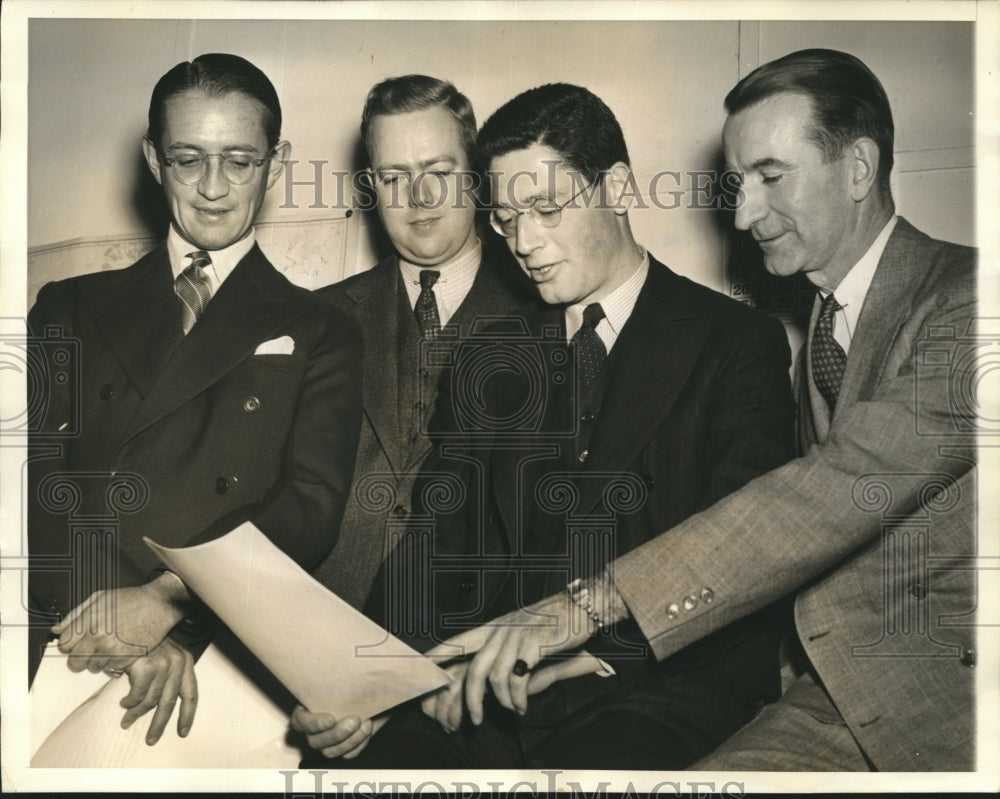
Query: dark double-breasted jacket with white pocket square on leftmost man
column 181, row 438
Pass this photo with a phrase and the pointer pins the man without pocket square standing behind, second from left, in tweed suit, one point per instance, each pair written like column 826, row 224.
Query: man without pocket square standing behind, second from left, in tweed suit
column 419, row 133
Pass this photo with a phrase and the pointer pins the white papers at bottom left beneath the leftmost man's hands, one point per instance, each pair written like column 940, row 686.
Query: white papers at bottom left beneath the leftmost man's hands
column 242, row 718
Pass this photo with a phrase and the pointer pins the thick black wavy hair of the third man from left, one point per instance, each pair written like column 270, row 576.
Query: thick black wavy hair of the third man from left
column 568, row 119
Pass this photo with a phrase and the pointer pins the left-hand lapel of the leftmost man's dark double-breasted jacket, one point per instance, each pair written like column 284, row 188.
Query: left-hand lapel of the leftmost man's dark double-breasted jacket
column 139, row 315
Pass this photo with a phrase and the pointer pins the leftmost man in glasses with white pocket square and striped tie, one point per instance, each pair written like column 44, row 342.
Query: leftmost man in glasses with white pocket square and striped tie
column 211, row 392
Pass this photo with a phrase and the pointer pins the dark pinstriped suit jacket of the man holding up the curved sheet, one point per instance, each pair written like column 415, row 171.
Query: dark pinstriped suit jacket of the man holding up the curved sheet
column 697, row 402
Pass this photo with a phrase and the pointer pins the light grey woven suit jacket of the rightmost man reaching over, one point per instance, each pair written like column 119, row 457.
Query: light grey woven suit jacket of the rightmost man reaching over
column 872, row 524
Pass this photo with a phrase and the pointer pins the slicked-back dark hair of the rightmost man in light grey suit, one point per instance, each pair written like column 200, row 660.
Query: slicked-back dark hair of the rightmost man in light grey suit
column 847, row 99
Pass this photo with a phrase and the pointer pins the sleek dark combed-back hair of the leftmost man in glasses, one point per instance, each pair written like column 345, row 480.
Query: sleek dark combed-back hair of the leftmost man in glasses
column 217, row 74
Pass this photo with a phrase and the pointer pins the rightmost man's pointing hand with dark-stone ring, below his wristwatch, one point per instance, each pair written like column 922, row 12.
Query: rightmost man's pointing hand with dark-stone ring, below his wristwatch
column 554, row 624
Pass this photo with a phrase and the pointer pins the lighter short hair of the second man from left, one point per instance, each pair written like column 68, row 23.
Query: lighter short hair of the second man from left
column 416, row 93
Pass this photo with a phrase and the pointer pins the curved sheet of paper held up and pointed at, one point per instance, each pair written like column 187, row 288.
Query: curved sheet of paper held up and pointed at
column 330, row 656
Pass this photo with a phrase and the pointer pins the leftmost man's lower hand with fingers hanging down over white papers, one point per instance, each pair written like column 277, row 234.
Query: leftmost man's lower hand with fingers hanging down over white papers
column 157, row 680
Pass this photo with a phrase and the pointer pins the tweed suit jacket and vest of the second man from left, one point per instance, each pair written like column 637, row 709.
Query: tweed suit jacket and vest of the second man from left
column 400, row 392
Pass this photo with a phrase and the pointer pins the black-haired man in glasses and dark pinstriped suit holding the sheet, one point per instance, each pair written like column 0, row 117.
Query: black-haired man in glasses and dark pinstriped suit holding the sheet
column 676, row 396
